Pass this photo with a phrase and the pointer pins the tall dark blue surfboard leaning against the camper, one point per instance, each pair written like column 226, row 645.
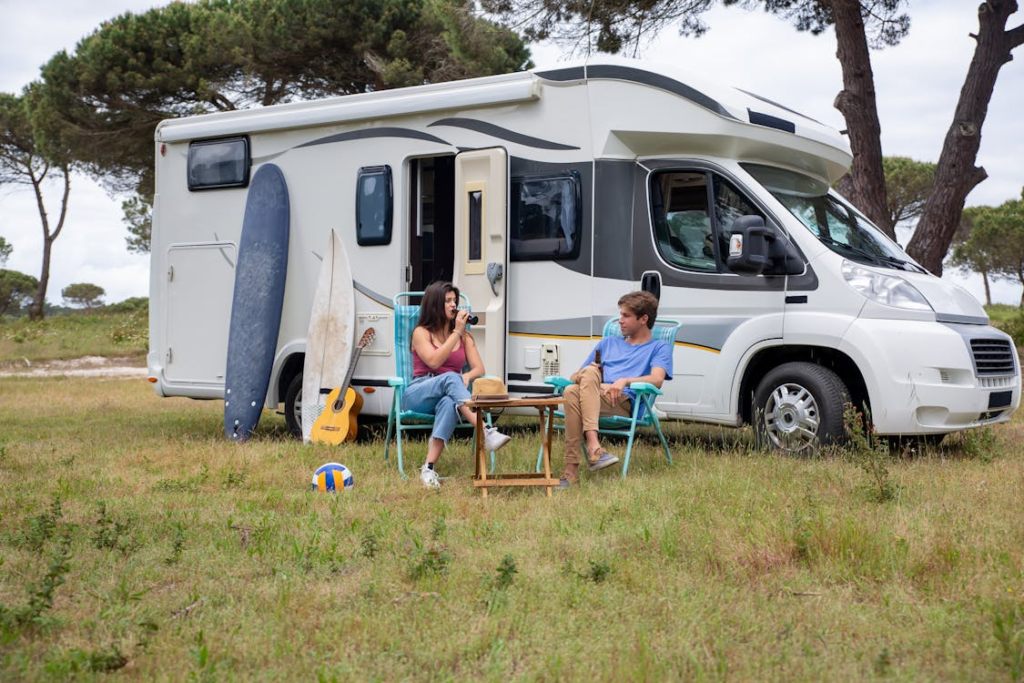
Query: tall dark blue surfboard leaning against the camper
column 260, row 293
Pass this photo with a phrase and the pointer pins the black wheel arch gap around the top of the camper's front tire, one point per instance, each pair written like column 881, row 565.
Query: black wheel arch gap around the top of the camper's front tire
column 766, row 360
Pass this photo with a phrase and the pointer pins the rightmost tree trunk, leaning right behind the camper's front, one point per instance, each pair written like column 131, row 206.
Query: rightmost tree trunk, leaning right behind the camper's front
column 956, row 175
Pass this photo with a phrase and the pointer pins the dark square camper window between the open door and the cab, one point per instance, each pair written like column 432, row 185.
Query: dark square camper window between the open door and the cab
column 547, row 218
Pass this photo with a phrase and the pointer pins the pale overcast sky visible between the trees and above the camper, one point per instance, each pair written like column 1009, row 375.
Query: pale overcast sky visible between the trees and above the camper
column 918, row 83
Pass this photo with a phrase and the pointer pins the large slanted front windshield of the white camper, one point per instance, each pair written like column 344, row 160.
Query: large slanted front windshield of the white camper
column 831, row 220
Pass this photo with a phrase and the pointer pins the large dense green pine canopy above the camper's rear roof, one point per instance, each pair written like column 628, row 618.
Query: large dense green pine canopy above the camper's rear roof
column 186, row 59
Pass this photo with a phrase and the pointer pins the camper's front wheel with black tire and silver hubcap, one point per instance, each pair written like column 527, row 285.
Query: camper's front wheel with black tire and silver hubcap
column 798, row 407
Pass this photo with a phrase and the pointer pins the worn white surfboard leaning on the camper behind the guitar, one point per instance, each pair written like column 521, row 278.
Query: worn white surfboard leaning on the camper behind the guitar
column 331, row 335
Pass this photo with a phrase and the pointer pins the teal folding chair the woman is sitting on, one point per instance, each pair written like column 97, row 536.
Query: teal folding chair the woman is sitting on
column 399, row 419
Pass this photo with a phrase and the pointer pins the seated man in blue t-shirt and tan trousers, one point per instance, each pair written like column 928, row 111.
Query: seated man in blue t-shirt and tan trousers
column 602, row 386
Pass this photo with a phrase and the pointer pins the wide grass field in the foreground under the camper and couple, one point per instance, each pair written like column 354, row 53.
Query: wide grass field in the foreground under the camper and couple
column 136, row 540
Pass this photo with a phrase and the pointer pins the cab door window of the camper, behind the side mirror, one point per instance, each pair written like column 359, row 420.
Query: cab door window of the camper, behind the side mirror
column 689, row 233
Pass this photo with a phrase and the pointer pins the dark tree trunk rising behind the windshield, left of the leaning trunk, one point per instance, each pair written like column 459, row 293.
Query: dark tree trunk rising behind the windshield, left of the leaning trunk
column 866, row 185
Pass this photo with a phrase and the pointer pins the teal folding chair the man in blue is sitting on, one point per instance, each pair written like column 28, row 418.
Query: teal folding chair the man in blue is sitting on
column 644, row 407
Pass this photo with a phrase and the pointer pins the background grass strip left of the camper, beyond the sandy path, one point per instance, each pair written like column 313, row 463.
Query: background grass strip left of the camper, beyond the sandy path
column 71, row 336
